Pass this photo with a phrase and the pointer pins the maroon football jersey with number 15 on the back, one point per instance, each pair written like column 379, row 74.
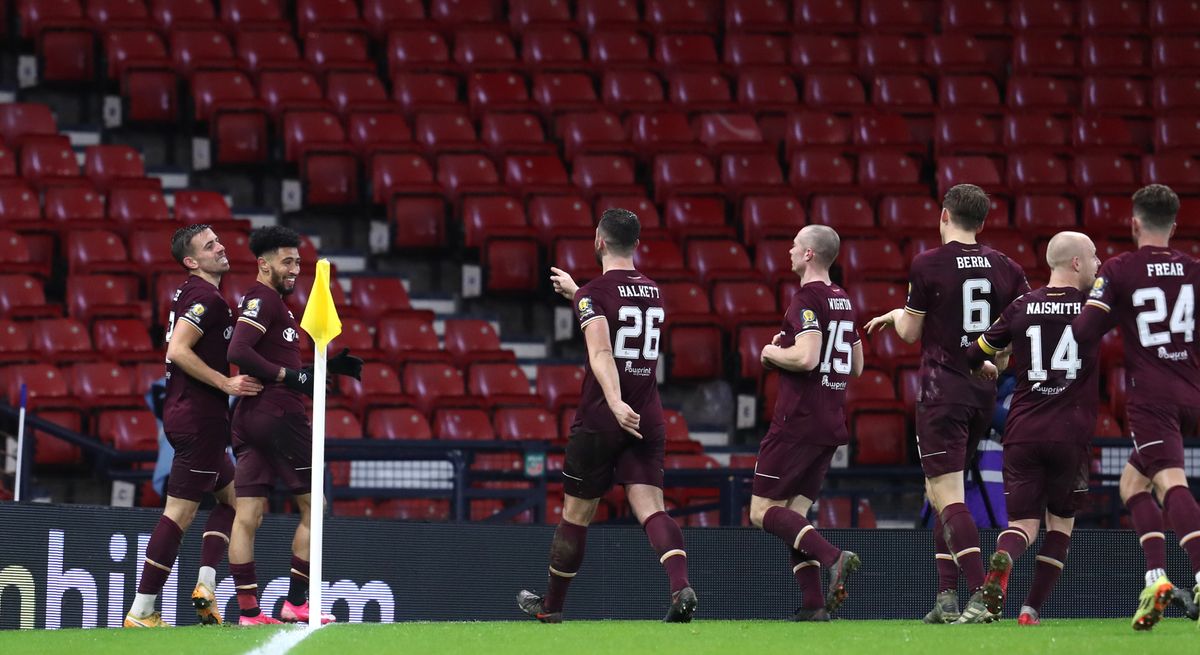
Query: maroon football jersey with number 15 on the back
column 812, row 406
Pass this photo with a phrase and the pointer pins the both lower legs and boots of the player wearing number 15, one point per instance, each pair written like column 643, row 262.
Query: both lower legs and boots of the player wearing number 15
column 781, row 519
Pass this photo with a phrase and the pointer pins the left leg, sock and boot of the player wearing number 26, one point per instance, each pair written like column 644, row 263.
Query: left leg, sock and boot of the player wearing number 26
column 566, row 557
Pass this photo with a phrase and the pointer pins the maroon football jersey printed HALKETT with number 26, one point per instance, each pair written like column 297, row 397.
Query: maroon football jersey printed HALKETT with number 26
column 633, row 307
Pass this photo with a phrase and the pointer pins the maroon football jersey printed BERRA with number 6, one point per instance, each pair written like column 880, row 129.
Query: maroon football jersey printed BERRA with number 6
column 961, row 290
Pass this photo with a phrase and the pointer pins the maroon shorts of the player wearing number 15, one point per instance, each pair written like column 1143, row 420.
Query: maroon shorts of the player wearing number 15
column 789, row 468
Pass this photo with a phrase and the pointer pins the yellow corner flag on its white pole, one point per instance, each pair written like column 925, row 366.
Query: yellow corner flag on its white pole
column 323, row 326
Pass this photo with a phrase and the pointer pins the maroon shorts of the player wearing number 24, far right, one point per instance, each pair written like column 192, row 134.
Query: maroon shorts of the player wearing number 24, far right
column 1157, row 432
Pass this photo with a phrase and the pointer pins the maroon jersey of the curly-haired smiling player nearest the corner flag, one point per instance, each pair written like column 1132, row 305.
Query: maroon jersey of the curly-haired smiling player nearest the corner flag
column 263, row 310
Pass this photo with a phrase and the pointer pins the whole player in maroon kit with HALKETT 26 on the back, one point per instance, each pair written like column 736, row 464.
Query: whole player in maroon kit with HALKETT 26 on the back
column 620, row 435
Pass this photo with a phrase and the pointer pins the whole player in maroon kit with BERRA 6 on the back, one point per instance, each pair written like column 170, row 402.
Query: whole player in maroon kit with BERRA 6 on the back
column 956, row 292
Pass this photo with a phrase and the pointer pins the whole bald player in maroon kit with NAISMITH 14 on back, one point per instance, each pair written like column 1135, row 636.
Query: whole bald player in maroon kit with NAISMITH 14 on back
column 1049, row 430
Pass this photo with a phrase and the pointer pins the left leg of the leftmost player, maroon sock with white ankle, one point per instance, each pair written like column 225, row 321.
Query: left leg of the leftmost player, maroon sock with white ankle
column 160, row 560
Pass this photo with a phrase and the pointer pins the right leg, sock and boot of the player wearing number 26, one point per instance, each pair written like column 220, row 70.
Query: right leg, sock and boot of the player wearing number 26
column 667, row 539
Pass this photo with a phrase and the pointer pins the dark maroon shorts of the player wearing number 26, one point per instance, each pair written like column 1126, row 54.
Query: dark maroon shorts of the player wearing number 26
column 597, row 460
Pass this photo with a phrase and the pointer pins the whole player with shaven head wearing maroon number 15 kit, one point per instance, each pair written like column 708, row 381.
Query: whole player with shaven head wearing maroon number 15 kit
column 817, row 353
